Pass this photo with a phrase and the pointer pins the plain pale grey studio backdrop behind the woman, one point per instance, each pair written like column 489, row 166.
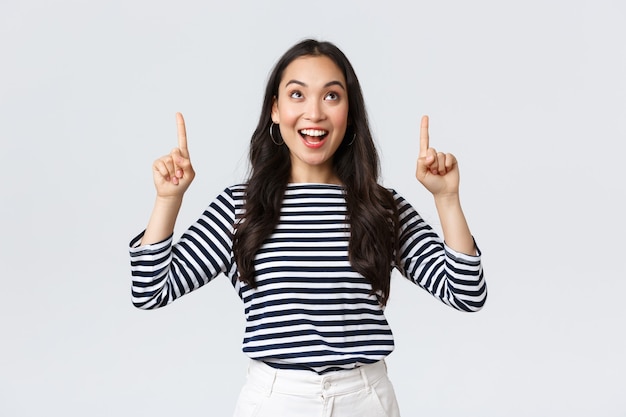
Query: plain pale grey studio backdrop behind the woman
column 530, row 96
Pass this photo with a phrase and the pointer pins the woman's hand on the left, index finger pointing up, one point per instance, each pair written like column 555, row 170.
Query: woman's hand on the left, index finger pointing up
column 174, row 173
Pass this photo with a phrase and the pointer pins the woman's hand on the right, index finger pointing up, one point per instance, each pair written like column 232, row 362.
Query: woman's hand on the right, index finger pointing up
column 437, row 171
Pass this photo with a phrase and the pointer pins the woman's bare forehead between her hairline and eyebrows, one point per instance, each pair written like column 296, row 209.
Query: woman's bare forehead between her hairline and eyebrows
column 313, row 70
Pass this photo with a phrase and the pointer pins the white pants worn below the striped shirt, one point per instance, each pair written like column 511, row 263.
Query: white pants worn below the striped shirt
column 364, row 392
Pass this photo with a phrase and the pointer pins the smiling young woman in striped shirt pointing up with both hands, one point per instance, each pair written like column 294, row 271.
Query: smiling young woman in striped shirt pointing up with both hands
column 309, row 242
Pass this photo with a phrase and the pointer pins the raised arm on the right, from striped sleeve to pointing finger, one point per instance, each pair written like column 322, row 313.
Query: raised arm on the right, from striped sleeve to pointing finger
column 451, row 271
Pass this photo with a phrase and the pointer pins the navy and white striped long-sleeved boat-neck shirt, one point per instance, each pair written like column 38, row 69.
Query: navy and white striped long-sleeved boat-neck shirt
column 311, row 309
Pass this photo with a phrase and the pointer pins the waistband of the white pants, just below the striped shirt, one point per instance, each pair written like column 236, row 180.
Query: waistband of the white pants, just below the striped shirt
column 302, row 382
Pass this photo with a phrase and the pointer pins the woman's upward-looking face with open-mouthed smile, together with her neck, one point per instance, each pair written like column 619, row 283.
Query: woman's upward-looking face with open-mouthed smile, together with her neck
column 311, row 109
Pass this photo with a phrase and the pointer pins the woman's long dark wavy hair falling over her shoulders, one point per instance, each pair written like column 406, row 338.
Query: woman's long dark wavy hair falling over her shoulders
column 371, row 210
